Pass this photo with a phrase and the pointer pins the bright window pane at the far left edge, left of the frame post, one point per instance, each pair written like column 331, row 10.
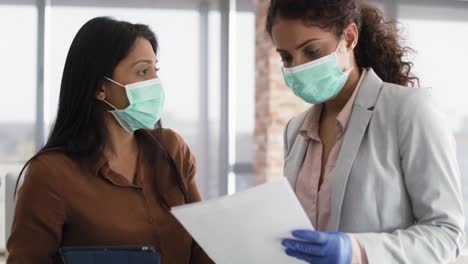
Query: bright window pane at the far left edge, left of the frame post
column 18, row 52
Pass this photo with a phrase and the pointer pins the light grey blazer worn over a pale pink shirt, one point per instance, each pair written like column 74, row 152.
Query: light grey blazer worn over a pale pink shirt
column 397, row 182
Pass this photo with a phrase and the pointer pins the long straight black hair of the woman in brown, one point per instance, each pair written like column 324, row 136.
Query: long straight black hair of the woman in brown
column 79, row 130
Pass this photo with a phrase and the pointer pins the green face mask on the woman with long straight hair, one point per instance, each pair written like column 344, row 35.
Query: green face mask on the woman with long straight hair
column 146, row 104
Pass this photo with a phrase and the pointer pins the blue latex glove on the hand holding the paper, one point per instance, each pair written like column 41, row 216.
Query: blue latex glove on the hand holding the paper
column 319, row 247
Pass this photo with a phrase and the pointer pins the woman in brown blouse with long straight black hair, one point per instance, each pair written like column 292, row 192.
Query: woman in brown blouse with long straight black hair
column 105, row 177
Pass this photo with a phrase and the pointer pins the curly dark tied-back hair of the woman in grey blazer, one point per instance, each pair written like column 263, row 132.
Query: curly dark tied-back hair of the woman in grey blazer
column 379, row 45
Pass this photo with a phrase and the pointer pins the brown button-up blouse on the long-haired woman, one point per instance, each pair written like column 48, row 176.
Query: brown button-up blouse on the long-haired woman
column 63, row 204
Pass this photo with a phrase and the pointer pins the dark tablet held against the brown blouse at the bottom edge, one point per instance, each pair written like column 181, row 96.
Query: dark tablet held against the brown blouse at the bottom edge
column 110, row 255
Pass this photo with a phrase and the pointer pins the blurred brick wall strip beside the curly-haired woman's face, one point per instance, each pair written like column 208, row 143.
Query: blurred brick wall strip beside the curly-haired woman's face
column 275, row 104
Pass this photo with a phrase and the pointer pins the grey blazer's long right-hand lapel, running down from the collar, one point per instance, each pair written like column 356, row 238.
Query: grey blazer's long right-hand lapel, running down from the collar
column 362, row 112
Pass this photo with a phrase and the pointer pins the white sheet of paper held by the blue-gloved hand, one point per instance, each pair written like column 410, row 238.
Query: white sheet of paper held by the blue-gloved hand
column 246, row 227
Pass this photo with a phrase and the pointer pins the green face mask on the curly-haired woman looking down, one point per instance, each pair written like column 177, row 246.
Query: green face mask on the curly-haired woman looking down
column 317, row 81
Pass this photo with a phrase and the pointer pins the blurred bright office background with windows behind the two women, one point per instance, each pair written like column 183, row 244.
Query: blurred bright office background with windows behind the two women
column 225, row 93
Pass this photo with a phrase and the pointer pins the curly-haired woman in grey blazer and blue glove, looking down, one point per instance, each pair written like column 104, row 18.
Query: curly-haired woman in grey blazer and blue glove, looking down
column 372, row 161
